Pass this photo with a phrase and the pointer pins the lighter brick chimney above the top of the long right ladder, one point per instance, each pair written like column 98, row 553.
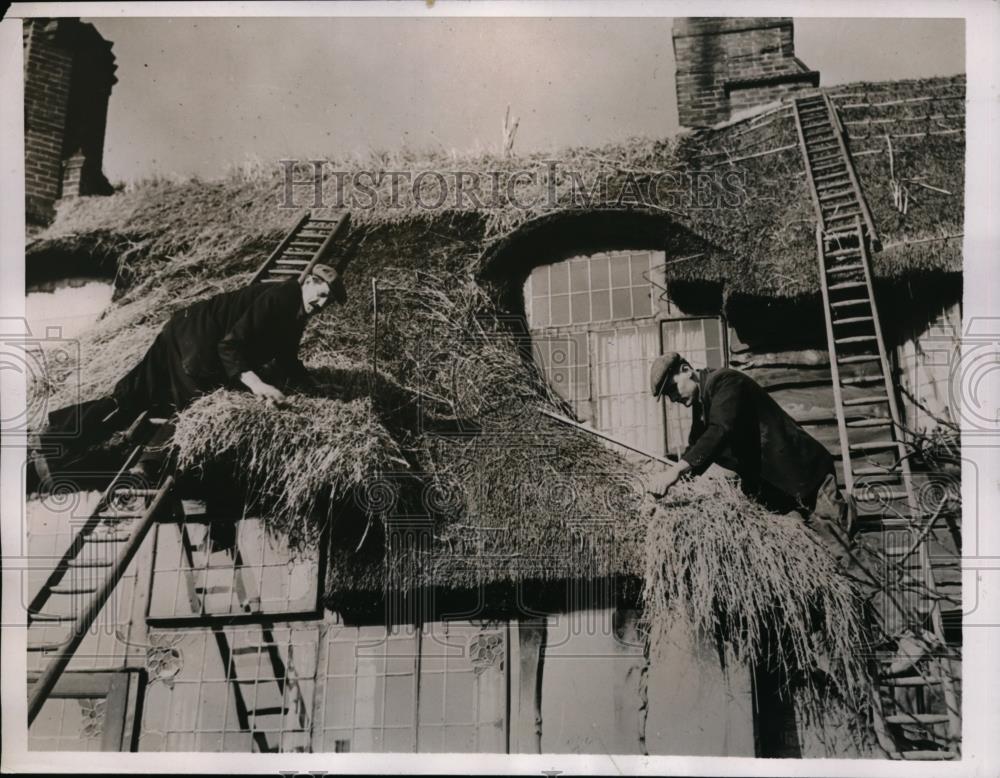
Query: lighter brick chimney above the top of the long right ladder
column 729, row 64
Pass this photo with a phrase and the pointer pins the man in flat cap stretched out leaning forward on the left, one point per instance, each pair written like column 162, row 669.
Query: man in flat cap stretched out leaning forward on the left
column 248, row 338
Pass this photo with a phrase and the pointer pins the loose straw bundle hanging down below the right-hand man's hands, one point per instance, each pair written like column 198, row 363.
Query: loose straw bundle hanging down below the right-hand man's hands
column 763, row 585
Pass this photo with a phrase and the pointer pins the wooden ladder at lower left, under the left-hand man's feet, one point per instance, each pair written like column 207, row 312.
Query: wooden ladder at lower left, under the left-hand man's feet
column 82, row 581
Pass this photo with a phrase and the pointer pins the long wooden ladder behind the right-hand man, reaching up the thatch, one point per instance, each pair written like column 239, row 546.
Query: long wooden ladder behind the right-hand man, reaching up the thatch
column 924, row 703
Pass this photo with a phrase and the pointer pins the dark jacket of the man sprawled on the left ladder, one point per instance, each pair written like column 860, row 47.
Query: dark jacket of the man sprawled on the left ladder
column 226, row 335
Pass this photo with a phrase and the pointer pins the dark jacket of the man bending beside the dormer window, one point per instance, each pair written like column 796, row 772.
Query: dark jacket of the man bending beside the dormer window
column 738, row 425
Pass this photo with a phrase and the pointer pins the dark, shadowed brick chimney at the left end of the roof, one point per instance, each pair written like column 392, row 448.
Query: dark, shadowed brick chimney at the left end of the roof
column 69, row 71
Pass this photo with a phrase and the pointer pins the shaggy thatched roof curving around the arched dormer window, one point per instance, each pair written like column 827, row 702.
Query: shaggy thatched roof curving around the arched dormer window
column 512, row 497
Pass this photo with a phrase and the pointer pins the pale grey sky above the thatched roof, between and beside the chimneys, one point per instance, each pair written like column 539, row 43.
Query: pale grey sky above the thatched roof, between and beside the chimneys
column 196, row 95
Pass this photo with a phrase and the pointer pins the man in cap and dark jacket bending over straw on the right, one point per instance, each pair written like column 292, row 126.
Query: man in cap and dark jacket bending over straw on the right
column 739, row 426
